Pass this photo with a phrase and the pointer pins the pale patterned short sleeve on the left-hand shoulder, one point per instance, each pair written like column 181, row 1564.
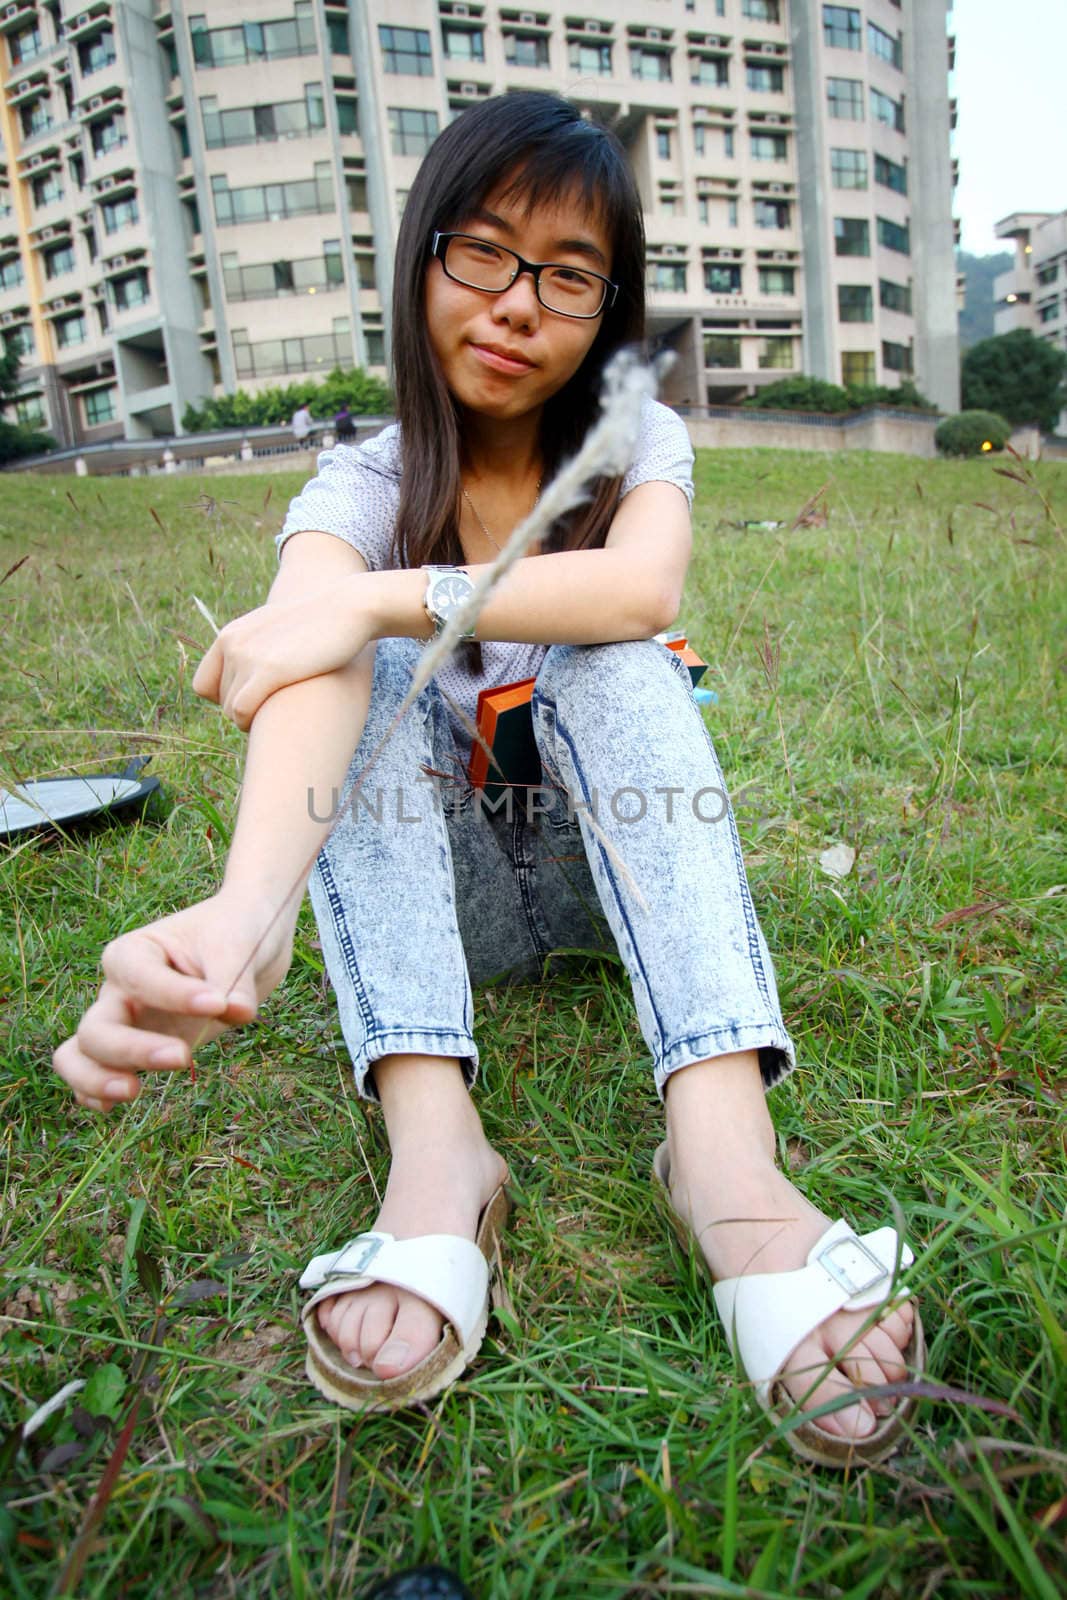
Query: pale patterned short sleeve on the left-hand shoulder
column 350, row 500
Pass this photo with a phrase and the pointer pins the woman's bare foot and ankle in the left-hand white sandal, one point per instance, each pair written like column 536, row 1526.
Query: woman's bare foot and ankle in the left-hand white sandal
column 442, row 1177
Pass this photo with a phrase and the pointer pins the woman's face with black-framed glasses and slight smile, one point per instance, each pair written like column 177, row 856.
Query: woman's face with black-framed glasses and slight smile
column 466, row 324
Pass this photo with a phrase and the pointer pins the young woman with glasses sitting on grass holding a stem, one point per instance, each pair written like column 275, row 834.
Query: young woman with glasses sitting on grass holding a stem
column 519, row 273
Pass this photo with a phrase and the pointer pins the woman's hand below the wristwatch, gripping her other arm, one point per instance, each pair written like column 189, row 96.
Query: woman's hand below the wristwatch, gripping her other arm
column 282, row 644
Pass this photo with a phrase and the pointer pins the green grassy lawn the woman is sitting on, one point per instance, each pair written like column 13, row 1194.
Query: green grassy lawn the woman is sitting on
column 892, row 681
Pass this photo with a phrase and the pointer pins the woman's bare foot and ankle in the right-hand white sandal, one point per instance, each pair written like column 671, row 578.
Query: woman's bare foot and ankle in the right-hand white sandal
column 749, row 1218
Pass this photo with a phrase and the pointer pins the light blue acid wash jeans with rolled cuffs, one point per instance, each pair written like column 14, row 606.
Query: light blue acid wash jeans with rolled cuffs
column 423, row 889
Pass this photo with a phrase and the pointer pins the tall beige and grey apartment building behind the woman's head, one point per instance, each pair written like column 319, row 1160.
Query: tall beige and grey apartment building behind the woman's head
column 206, row 194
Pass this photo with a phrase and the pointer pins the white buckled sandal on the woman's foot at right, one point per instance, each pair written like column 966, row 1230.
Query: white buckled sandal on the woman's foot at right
column 769, row 1314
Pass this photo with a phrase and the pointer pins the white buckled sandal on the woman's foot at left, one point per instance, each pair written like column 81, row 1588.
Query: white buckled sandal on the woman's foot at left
column 449, row 1273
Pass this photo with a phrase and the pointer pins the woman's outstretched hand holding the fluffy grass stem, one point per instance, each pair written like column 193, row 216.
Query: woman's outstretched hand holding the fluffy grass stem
column 172, row 988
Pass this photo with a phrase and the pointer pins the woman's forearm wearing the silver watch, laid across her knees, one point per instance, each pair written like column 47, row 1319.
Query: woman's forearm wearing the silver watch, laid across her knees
column 572, row 598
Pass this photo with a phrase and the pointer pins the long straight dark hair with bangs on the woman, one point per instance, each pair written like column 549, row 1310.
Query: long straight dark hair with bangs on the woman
column 548, row 148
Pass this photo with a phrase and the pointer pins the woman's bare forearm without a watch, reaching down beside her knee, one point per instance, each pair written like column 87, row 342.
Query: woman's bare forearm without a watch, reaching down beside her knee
column 300, row 750
